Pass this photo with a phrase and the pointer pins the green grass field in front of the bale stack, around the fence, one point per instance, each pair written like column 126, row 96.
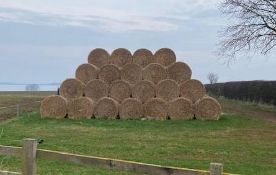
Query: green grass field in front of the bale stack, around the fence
column 245, row 145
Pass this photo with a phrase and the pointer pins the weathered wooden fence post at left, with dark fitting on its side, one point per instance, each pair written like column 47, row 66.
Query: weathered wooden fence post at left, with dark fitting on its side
column 29, row 157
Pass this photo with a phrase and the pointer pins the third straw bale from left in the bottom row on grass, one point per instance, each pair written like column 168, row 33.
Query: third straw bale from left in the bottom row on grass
column 106, row 108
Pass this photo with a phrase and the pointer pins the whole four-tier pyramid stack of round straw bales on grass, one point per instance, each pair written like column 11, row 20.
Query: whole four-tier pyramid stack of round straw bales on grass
column 125, row 86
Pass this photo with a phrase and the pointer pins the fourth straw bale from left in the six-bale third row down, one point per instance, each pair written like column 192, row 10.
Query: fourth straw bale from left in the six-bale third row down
column 143, row 90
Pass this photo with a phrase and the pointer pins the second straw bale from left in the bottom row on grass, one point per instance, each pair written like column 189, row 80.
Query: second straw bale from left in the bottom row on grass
column 80, row 108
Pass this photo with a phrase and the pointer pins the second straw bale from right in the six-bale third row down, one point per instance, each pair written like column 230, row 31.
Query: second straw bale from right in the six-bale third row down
column 167, row 90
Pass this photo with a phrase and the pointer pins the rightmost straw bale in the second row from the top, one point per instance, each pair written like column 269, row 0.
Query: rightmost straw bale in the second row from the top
column 179, row 72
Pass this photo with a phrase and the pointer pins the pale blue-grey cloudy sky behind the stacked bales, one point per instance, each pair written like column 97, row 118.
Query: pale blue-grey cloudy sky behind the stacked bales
column 45, row 41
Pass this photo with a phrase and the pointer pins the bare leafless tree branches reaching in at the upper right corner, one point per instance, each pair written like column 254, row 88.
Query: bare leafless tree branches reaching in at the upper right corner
column 253, row 29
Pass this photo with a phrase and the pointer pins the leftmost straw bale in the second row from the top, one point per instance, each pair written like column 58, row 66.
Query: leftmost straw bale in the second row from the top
column 86, row 72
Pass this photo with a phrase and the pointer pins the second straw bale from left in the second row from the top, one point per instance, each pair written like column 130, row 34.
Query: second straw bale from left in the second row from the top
column 109, row 73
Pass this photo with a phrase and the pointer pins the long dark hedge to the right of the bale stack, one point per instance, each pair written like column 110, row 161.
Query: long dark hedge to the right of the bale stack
column 254, row 91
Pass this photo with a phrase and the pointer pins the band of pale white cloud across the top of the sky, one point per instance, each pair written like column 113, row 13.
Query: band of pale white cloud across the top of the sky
column 113, row 15
